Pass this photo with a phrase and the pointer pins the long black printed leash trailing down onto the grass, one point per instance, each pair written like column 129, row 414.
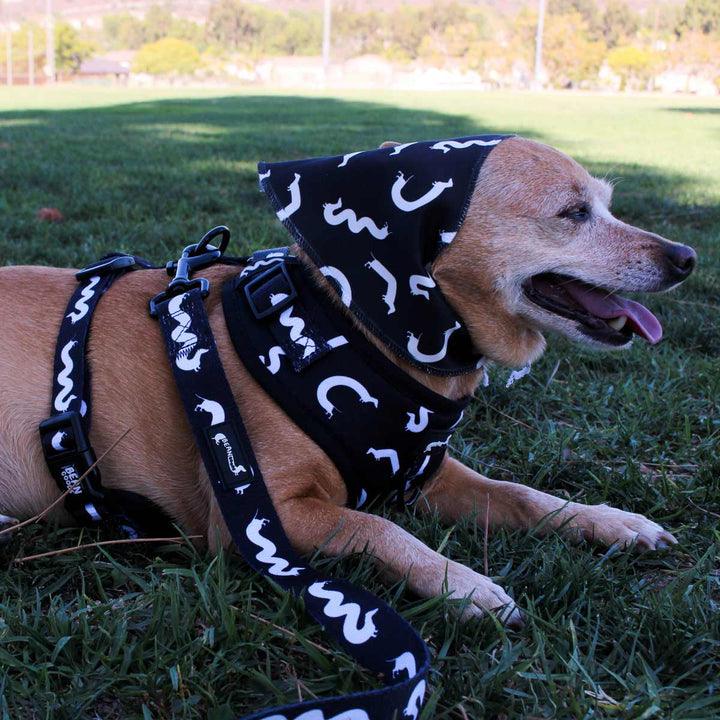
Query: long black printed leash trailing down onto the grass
column 367, row 628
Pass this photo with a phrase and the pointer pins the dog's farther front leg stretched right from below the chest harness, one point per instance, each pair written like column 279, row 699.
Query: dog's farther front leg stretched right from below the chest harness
column 457, row 492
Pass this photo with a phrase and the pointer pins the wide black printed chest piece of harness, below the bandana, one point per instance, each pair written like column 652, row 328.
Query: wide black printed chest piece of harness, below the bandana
column 383, row 430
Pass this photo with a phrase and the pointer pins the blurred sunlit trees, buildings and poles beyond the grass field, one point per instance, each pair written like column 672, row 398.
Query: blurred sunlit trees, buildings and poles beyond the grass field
column 607, row 45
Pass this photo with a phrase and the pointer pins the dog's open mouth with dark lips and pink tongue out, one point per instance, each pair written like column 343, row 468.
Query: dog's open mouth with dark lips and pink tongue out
column 602, row 315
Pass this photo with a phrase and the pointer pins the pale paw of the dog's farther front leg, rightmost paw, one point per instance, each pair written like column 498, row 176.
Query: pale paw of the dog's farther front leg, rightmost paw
column 610, row 526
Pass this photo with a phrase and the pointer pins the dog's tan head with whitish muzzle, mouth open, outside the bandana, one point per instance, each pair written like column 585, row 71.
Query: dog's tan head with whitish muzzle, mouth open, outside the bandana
column 539, row 250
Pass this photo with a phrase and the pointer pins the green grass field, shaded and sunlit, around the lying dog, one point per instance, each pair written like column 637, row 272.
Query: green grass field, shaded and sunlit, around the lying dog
column 169, row 632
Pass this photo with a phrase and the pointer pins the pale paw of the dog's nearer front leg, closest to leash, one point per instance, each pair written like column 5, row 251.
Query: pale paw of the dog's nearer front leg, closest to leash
column 484, row 594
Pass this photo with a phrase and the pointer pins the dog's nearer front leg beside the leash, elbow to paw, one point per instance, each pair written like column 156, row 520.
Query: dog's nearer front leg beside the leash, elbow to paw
column 336, row 530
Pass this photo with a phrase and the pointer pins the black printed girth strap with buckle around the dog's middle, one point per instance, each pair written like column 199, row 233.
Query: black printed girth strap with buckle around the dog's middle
column 64, row 435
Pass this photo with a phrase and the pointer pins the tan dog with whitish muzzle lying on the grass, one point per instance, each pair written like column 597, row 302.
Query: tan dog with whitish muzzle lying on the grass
column 536, row 219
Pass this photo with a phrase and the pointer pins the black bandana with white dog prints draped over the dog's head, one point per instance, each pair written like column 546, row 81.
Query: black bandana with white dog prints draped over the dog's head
column 373, row 222
